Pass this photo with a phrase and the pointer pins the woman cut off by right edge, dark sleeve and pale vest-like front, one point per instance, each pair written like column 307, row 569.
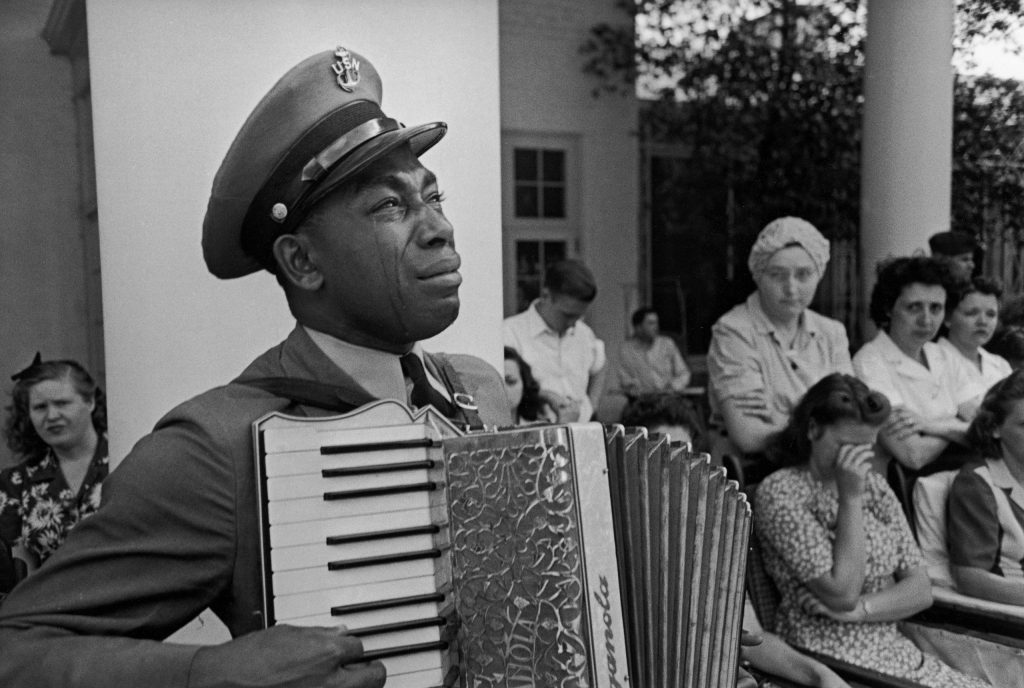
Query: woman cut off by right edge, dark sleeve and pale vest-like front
column 986, row 508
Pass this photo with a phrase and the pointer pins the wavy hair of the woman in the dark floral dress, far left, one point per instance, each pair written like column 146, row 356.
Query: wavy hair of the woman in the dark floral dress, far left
column 19, row 432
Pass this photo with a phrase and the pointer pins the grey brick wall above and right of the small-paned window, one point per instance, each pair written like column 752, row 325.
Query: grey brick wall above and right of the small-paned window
column 546, row 92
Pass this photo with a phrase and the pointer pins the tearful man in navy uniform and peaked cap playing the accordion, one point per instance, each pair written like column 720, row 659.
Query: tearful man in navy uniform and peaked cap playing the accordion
column 327, row 193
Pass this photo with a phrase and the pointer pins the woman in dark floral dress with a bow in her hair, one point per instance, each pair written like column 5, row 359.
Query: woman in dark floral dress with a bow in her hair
column 57, row 424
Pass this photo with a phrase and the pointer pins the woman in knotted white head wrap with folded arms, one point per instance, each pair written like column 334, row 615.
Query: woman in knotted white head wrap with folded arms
column 767, row 352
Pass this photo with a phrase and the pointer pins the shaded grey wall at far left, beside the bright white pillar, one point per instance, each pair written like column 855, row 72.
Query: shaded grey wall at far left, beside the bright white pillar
column 41, row 264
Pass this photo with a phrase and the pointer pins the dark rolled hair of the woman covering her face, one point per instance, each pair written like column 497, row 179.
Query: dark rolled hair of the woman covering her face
column 836, row 398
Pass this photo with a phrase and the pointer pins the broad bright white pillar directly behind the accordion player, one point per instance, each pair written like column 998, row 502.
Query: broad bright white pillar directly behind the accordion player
column 173, row 81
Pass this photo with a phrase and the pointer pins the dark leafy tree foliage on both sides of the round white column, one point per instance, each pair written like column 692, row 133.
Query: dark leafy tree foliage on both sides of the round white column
column 769, row 94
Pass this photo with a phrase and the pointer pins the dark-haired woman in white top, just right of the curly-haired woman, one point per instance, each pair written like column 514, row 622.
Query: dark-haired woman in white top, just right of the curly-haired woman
column 972, row 314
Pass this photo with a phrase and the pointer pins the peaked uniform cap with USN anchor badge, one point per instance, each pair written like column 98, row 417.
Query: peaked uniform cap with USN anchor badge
column 320, row 125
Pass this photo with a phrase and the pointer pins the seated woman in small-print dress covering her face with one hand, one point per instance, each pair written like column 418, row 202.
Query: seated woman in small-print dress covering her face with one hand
column 836, row 543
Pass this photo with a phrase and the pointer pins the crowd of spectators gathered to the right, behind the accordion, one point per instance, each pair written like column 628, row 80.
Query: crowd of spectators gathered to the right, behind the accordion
column 833, row 445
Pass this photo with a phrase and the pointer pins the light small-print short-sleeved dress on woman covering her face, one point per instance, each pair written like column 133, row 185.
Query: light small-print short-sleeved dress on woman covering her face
column 796, row 518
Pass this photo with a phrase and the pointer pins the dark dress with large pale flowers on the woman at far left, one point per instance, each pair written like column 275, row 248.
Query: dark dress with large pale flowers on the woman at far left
column 37, row 506
